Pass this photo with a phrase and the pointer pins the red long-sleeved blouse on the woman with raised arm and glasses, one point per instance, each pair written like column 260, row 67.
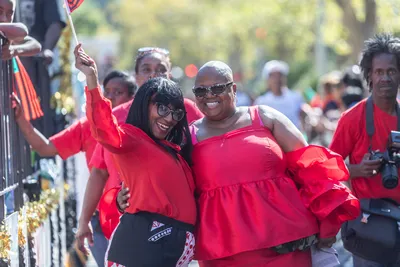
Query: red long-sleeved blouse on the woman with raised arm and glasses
column 158, row 182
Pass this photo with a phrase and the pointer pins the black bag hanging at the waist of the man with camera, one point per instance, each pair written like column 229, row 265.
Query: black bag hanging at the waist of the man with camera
column 375, row 234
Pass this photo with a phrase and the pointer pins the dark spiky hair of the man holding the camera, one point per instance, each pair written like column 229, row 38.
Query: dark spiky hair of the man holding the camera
column 383, row 43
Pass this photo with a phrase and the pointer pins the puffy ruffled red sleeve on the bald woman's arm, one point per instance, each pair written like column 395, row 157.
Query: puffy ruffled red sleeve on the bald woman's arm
column 319, row 173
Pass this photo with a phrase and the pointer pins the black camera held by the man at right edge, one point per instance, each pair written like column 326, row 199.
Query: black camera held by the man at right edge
column 390, row 161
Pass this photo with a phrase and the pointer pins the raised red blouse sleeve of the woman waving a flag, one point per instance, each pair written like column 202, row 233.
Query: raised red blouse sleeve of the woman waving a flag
column 104, row 125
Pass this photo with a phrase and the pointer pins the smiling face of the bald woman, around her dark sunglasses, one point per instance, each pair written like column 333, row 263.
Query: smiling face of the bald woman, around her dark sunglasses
column 215, row 107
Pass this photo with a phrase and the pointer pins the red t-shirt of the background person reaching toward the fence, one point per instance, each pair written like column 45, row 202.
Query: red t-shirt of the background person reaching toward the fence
column 74, row 139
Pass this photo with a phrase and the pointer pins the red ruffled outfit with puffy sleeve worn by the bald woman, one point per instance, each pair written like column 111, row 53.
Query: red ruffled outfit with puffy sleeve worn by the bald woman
column 252, row 196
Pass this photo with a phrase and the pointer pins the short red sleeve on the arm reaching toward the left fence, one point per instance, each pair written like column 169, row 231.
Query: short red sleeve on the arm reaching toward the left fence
column 69, row 141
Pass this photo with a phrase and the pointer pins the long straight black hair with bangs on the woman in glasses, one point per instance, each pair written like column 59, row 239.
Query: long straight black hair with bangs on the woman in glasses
column 166, row 92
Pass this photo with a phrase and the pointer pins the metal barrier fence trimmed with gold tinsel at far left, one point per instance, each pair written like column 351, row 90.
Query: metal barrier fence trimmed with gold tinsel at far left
column 49, row 241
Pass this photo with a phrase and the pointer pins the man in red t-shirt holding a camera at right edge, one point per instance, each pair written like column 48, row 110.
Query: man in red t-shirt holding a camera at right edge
column 380, row 64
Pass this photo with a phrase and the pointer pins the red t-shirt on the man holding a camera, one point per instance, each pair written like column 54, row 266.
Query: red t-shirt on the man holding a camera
column 351, row 140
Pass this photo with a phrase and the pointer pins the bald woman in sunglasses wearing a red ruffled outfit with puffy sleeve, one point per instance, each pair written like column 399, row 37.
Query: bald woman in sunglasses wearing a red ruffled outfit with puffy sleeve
column 264, row 197
